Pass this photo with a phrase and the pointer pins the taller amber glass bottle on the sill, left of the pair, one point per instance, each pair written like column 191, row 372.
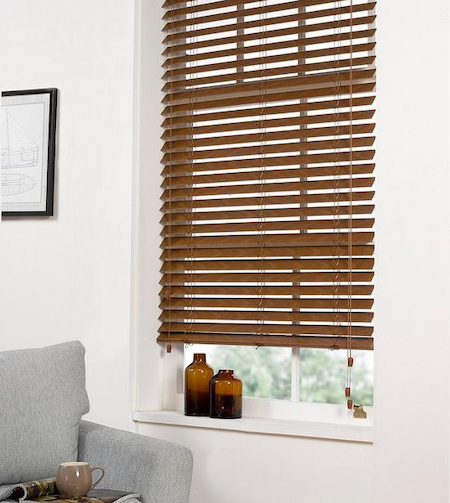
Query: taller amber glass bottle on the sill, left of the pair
column 196, row 386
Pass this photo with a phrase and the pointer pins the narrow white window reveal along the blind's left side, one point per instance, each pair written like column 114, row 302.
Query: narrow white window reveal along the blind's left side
column 146, row 275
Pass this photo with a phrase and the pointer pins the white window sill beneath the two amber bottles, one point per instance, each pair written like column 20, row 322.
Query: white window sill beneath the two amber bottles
column 348, row 429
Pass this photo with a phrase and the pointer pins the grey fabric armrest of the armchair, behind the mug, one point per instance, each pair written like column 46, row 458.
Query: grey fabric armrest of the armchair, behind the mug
column 160, row 471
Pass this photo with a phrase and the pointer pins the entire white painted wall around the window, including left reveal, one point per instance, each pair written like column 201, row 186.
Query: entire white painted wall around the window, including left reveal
column 70, row 277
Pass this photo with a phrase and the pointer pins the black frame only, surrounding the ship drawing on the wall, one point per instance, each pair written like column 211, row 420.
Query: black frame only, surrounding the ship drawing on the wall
column 52, row 125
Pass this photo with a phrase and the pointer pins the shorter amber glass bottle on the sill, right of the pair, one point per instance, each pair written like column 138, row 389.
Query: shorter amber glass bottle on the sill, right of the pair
column 226, row 395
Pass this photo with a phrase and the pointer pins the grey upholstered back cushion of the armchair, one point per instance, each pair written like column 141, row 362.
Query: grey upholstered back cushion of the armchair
column 43, row 398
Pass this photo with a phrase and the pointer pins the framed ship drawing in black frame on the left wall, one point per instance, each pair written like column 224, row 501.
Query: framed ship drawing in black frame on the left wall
column 27, row 146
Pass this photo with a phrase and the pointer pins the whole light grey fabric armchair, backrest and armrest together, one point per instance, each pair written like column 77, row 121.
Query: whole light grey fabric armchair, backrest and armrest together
column 43, row 399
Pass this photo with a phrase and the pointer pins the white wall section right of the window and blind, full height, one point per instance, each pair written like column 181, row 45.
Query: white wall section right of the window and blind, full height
column 412, row 253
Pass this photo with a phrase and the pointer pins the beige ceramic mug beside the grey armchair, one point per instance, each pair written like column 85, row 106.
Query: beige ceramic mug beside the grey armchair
column 74, row 479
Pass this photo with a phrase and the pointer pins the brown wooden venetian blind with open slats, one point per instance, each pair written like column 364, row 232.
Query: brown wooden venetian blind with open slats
column 268, row 173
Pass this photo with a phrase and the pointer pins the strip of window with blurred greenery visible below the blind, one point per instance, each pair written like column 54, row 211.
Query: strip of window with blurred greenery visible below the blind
column 267, row 372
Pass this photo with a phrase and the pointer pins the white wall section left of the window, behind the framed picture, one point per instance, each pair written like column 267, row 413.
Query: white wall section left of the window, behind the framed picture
column 68, row 277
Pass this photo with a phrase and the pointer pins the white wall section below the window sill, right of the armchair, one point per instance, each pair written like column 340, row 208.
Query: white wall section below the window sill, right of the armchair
column 250, row 468
